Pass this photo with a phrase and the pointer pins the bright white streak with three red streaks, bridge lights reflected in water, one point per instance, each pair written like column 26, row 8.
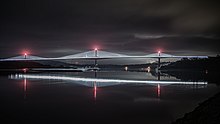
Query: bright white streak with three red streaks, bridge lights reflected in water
column 101, row 82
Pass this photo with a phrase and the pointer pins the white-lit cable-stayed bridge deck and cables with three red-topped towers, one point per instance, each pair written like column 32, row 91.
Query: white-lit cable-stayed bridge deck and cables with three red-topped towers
column 96, row 55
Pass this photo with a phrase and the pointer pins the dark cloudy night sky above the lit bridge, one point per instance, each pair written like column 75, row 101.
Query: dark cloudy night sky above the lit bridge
column 62, row 27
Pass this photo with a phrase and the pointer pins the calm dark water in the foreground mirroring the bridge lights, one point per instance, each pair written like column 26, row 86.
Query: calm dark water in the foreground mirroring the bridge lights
column 36, row 100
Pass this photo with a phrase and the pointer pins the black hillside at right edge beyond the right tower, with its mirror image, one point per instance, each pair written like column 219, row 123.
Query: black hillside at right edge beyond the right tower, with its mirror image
column 195, row 69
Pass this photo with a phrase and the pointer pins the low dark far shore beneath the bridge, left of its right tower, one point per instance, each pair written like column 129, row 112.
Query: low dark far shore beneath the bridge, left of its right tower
column 59, row 64
